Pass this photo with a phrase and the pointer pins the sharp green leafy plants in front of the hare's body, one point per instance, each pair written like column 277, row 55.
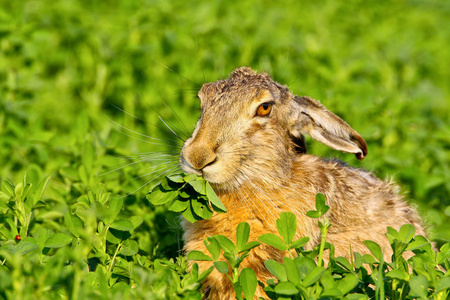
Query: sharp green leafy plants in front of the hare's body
column 305, row 277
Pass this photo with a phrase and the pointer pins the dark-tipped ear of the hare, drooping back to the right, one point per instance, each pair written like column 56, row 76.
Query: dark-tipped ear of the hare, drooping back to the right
column 309, row 116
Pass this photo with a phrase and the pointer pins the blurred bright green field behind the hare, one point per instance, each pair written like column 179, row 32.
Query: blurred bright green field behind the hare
column 82, row 82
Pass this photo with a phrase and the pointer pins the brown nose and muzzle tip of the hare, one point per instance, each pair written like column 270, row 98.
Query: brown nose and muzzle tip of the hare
column 198, row 156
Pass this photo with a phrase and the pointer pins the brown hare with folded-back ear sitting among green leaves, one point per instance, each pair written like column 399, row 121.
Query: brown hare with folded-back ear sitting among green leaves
column 249, row 145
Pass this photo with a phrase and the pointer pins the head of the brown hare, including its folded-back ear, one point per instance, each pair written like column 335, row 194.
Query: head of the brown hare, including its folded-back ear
column 251, row 129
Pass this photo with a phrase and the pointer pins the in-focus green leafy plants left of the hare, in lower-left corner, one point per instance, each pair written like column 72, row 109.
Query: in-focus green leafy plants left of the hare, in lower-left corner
column 90, row 249
